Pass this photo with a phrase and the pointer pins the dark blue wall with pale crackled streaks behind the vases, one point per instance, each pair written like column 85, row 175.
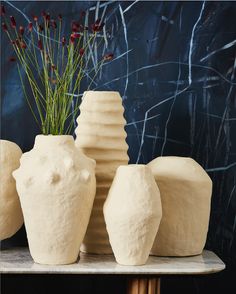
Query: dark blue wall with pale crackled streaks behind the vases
column 174, row 65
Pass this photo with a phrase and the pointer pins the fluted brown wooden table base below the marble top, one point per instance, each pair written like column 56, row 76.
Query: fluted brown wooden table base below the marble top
column 144, row 285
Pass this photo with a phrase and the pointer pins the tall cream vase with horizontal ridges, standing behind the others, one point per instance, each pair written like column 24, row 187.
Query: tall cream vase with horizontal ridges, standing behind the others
column 101, row 136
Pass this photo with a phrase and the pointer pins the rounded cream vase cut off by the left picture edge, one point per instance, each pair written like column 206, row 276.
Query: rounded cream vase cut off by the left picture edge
column 11, row 218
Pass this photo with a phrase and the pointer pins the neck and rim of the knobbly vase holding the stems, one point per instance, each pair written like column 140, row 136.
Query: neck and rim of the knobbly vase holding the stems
column 53, row 139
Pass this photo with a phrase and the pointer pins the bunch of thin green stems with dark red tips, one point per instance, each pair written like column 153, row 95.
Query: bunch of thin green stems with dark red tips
column 55, row 65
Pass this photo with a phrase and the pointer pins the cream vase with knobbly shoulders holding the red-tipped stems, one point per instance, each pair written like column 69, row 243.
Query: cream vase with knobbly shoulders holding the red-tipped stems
column 56, row 185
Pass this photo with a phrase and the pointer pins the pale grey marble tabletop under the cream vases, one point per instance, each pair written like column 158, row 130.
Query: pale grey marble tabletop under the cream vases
column 19, row 261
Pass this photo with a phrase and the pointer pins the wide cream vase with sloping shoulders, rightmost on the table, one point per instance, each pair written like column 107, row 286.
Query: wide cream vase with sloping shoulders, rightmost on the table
column 186, row 197
